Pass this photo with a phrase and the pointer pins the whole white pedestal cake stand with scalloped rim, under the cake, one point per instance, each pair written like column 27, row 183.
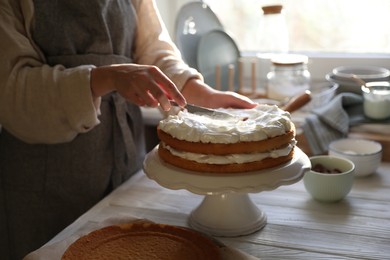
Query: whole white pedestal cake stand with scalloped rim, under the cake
column 226, row 209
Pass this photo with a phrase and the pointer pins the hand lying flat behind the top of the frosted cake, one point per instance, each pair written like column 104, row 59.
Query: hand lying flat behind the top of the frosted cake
column 197, row 92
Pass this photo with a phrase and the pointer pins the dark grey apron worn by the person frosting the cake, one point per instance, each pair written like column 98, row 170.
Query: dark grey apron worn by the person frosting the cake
column 43, row 188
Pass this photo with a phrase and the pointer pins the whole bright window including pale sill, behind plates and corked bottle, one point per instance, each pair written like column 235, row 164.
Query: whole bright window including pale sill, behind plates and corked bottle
column 331, row 32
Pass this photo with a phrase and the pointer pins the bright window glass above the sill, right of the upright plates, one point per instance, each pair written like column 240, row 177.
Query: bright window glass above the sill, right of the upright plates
column 325, row 26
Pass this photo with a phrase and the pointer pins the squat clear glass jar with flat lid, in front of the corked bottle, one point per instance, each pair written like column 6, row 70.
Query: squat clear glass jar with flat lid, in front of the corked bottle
column 289, row 76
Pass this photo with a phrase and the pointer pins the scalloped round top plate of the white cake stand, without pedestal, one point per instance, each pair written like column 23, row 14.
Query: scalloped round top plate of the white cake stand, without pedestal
column 208, row 183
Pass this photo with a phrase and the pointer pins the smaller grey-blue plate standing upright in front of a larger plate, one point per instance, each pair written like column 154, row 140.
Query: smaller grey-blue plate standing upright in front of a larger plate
column 217, row 48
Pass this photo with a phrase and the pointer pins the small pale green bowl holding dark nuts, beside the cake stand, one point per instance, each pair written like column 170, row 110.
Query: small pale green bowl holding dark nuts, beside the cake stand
column 330, row 178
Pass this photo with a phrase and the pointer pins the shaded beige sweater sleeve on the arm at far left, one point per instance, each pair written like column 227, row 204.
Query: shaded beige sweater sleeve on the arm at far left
column 39, row 103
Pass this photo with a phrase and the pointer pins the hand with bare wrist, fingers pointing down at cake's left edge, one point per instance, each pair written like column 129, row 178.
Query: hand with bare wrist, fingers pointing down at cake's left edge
column 142, row 85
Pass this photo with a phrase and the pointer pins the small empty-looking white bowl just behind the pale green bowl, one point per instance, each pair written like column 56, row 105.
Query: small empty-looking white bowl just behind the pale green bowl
column 365, row 154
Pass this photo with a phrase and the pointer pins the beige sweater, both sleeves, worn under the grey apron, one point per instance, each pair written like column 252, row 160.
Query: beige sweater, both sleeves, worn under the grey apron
column 44, row 104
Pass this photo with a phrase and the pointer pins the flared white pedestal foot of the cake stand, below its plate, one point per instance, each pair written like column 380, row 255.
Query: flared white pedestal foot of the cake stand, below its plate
column 227, row 215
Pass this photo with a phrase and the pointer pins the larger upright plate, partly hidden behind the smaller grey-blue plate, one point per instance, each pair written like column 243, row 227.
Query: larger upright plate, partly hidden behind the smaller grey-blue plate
column 193, row 20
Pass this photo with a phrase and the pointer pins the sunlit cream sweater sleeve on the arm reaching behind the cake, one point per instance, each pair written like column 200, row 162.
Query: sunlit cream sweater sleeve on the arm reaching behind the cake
column 154, row 46
